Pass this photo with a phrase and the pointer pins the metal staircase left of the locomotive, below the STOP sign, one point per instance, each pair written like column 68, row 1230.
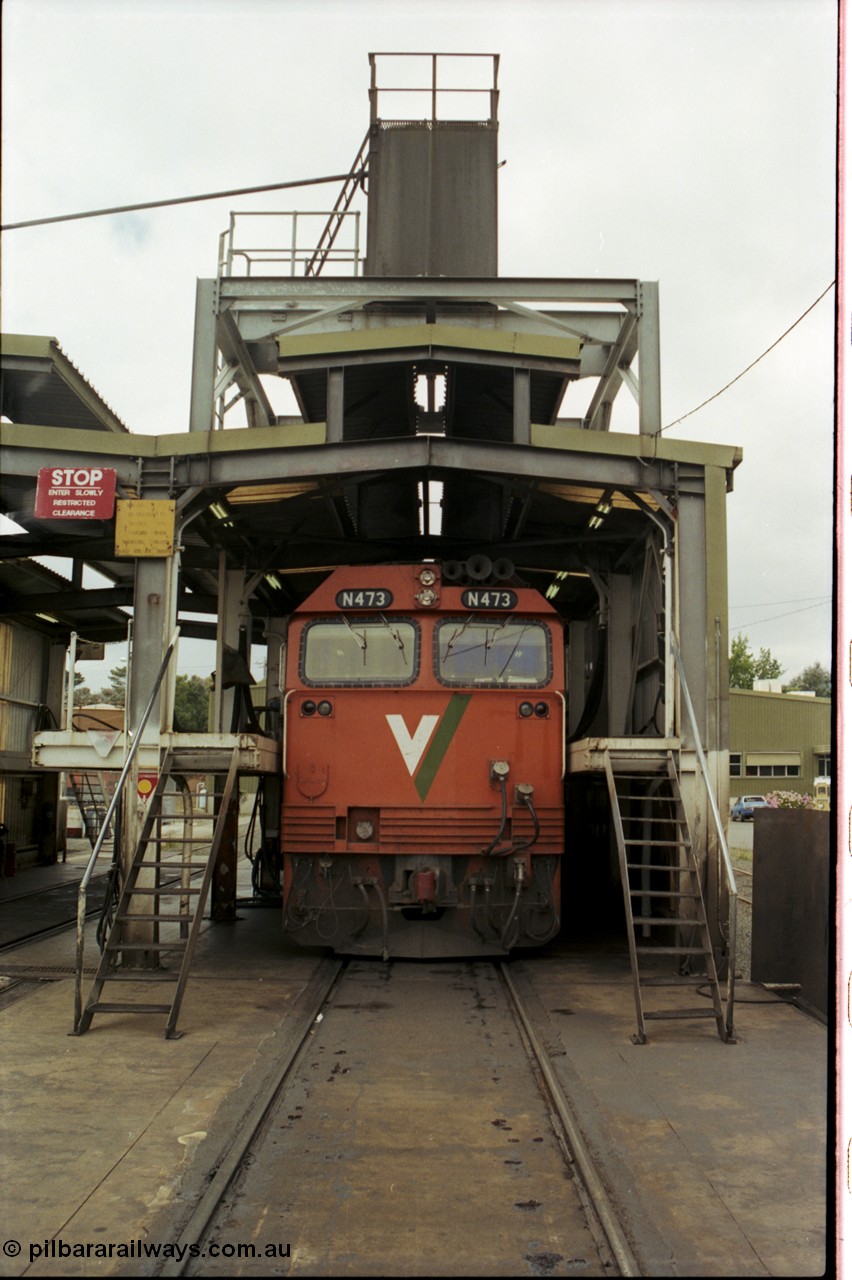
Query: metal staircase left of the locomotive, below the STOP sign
column 167, row 889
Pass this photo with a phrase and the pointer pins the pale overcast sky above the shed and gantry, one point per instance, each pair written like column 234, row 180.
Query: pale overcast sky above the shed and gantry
column 685, row 141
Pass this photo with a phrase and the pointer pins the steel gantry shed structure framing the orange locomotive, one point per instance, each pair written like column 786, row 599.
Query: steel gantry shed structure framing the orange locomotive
column 429, row 426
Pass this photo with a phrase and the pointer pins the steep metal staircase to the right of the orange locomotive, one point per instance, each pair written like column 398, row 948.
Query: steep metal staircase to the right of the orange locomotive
column 663, row 902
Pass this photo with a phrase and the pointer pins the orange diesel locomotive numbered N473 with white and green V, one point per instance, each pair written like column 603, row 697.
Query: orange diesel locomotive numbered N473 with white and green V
column 424, row 723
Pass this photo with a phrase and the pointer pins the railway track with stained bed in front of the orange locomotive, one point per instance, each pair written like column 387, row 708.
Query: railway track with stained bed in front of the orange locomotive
column 414, row 1122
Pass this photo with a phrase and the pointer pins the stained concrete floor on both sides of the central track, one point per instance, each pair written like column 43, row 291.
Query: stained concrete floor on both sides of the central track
column 718, row 1153
